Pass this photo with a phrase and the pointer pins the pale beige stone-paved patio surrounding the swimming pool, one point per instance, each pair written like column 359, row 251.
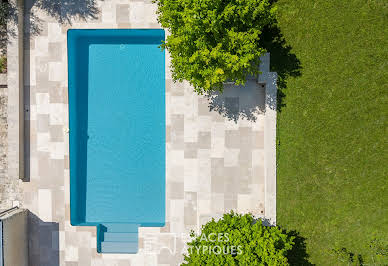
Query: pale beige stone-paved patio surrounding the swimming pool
column 220, row 148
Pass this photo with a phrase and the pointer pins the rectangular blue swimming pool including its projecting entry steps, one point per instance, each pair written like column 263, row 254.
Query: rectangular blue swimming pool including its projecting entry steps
column 117, row 133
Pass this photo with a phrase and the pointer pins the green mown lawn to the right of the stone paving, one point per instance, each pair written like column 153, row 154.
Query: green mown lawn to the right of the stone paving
column 332, row 126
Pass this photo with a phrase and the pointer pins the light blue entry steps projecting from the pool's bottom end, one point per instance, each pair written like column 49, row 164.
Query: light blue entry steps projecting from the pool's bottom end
column 117, row 238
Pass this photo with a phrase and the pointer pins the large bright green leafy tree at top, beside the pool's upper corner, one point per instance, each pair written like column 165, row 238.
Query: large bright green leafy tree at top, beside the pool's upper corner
column 213, row 41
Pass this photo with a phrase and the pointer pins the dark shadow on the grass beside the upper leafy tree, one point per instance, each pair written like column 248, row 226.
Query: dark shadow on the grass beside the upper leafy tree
column 283, row 61
